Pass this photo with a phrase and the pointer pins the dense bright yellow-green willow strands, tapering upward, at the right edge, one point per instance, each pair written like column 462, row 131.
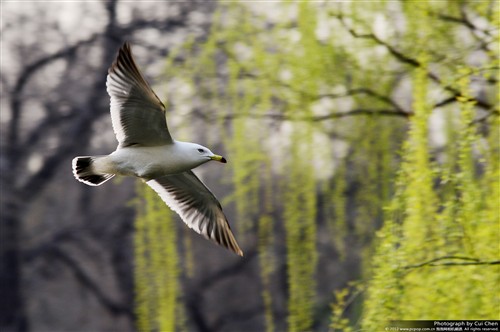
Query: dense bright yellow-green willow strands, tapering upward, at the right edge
column 434, row 247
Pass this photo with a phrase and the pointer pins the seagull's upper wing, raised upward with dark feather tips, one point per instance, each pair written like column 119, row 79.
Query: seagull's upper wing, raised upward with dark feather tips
column 137, row 114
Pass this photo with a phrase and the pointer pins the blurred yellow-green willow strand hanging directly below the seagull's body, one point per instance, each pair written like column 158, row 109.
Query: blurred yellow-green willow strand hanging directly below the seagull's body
column 156, row 260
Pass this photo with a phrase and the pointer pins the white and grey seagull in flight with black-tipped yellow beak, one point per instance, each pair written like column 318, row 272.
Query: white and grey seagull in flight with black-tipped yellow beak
column 146, row 150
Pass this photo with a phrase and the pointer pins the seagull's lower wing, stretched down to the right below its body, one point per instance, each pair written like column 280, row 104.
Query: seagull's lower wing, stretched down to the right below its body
column 198, row 207
